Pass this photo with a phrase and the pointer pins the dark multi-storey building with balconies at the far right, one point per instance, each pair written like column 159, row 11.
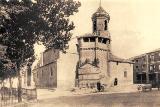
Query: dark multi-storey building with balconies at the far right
column 147, row 67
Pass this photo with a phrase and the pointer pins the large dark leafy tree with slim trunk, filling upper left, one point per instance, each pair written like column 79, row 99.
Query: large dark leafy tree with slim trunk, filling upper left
column 26, row 23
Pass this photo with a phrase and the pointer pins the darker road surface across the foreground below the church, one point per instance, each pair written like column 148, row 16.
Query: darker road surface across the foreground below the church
column 135, row 99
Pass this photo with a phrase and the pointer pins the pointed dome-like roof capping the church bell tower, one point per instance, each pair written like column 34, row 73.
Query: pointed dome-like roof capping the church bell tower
column 101, row 13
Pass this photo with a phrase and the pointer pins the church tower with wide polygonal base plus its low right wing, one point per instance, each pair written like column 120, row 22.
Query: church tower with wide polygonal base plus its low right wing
column 97, row 64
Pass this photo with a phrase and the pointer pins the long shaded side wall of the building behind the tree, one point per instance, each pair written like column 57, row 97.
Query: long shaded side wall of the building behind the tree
column 45, row 73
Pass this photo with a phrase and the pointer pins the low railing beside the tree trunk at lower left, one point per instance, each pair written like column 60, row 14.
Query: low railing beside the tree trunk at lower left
column 10, row 96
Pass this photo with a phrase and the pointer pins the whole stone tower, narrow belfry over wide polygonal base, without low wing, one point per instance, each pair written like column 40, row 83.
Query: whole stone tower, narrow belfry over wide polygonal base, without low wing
column 94, row 52
